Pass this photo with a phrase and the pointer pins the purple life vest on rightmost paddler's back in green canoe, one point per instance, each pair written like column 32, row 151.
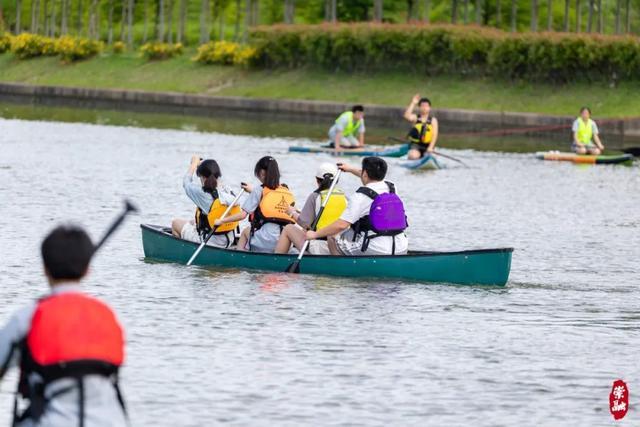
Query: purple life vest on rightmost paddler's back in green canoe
column 387, row 216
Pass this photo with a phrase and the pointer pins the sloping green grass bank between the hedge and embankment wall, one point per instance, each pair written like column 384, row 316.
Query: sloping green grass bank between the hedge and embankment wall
column 129, row 71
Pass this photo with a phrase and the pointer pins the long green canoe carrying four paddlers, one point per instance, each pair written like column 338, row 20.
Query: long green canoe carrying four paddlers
column 474, row 267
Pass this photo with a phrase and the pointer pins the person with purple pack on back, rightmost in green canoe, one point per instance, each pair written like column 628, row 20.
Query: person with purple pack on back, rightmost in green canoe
column 374, row 221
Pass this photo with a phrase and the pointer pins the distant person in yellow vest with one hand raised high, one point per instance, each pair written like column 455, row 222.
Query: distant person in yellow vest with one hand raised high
column 424, row 133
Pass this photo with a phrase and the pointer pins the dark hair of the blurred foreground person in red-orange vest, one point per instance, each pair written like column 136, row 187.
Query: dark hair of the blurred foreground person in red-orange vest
column 66, row 253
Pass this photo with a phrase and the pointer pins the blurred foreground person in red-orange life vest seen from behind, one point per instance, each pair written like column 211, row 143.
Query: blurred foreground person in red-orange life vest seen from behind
column 69, row 346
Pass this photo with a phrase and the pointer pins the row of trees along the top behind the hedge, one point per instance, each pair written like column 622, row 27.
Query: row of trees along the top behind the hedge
column 197, row 21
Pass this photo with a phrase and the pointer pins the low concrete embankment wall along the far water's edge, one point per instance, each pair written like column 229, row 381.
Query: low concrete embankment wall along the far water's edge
column 452, row 121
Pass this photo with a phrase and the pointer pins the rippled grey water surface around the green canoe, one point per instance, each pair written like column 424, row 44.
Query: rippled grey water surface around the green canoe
column 212, row 347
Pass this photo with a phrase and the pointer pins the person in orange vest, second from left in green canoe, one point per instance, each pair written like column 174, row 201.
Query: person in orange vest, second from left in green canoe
column 267, row 207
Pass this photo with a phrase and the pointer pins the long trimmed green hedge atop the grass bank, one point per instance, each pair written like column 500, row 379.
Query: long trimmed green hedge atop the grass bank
column 449, row 49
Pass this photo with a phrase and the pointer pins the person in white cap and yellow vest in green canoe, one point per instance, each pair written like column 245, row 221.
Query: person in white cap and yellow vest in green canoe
column 296, row 233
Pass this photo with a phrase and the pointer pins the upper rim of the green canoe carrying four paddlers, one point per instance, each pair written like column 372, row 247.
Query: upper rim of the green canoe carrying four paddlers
column 411, row 254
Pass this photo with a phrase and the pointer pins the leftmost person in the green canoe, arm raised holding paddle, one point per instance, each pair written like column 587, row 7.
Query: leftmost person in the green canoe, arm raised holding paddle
column 211, row 199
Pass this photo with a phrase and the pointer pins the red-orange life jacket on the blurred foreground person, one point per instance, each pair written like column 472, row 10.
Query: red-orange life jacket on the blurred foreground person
column 71, row 335
